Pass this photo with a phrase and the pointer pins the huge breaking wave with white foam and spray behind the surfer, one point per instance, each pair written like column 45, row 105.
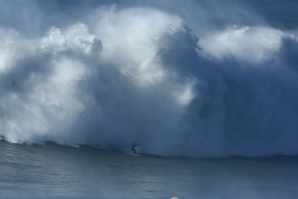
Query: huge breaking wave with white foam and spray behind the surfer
column 141, row 74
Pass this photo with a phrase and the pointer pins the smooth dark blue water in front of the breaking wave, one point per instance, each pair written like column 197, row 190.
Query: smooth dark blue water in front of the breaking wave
column 53, row 171
